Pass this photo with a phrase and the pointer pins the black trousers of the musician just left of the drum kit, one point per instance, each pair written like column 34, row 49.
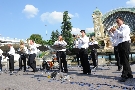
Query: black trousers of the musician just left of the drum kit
column 32, row 61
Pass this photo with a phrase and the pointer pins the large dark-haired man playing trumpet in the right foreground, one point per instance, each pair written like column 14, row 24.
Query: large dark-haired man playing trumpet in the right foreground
column 123, row 48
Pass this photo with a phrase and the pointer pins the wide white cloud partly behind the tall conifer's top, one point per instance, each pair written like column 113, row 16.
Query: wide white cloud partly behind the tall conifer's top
column 55, row 17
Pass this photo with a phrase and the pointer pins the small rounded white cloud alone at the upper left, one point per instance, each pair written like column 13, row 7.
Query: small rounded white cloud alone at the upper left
column 30, row 11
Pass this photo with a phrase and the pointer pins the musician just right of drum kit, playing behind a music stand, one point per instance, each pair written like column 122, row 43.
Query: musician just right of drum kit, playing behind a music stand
column 61, row 54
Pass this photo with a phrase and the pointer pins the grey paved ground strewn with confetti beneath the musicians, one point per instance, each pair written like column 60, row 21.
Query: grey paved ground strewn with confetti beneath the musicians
column 104, row 78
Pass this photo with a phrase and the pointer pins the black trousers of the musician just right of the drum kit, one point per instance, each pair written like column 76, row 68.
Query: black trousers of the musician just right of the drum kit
column 61, row 55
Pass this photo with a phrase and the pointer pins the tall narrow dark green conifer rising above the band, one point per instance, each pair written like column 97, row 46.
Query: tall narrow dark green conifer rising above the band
column 66, row 30
